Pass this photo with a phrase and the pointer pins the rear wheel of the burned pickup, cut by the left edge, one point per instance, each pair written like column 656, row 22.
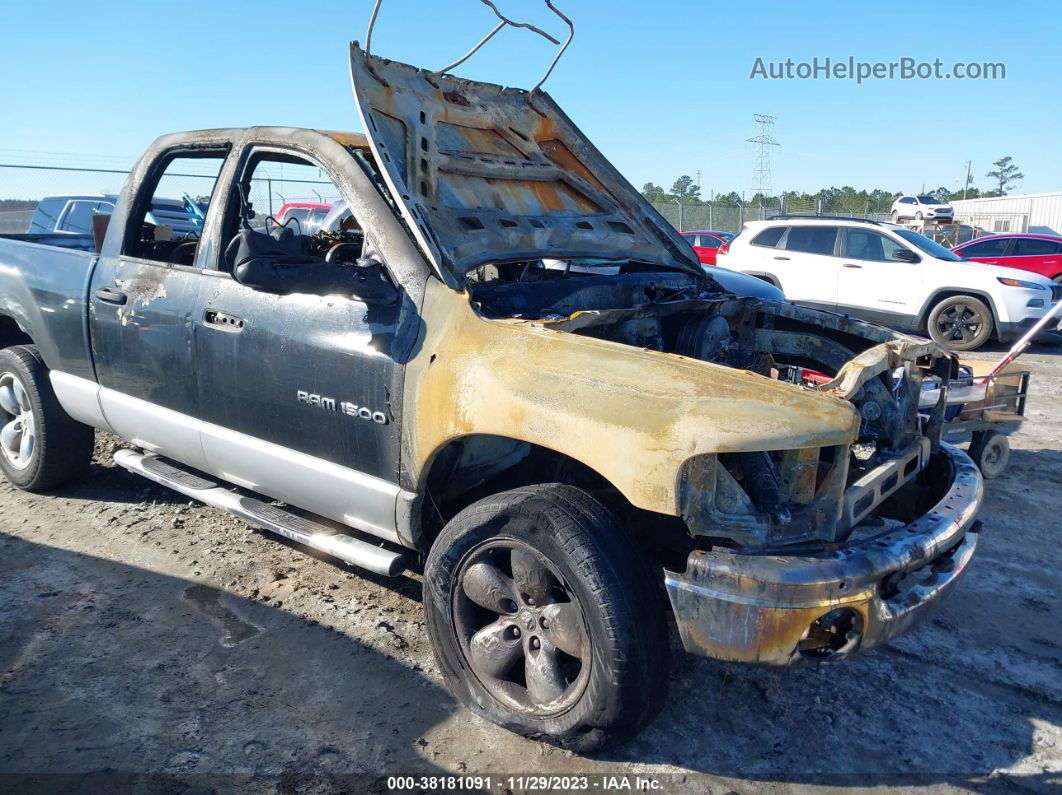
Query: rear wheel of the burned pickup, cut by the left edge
column 41, row 446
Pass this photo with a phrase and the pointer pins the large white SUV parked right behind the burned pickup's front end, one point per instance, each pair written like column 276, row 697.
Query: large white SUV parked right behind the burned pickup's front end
column 890, row 275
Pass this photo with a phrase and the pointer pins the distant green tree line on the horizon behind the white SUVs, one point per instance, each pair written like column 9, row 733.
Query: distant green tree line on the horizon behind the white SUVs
column 846, row 200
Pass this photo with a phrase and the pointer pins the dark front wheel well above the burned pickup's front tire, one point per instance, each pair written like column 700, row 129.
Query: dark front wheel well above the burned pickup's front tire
column 470, row 469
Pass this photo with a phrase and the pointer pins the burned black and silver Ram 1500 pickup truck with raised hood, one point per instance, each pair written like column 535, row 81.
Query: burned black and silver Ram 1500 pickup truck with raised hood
column 495, row 361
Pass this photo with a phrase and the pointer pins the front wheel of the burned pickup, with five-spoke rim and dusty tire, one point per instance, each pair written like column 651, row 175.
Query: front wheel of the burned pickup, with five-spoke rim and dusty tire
column 597, row 671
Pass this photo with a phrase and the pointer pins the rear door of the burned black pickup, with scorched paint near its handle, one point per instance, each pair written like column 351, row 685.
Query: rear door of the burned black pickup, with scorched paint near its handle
column 142, row 300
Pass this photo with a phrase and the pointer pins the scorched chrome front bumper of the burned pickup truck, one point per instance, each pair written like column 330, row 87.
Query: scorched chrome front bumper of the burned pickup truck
column 780, row 610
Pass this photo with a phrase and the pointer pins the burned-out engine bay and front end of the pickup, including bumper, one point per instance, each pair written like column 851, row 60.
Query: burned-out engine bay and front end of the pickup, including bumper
column 796, row 551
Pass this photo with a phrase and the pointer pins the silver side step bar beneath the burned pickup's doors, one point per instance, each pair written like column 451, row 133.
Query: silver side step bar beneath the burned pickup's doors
column 263, row 515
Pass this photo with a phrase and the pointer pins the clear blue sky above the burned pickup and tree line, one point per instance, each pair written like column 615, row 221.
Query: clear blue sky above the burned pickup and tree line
column 662, row 87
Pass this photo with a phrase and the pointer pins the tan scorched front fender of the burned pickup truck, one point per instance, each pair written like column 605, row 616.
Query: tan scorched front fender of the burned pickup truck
column 632, row 416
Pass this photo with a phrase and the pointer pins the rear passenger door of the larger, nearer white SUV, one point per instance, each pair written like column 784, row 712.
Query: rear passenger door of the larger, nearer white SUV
column 807, row 266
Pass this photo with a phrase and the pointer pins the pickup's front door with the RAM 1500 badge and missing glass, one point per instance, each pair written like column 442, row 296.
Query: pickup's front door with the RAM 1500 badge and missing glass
column 298, row 390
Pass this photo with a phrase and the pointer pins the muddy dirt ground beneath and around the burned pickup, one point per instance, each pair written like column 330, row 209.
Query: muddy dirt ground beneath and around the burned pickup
column 143, row 634
